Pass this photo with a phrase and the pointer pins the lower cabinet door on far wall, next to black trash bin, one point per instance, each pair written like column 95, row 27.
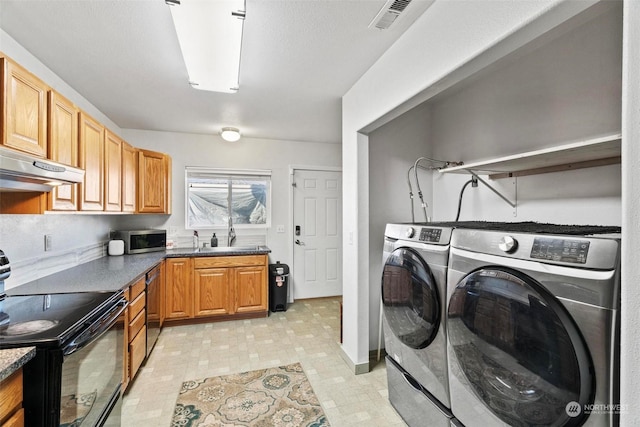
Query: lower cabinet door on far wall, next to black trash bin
column 250, row 289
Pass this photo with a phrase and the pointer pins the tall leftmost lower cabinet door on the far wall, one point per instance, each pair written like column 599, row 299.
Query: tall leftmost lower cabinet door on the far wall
column 178, row 289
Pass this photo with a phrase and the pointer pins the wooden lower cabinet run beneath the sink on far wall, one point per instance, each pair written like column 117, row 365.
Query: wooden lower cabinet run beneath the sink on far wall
column 216, row 287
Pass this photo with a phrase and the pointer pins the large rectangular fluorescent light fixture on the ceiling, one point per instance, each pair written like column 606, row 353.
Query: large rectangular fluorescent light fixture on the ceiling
column 210, row 37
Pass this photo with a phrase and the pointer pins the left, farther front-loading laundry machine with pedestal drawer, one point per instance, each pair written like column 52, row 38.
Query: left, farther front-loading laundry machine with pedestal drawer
column 413, row 307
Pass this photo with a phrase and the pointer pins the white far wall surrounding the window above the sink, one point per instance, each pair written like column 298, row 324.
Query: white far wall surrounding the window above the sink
column 212, row 151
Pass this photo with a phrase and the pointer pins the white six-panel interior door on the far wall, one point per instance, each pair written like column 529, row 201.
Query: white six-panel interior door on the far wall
column 317, row 220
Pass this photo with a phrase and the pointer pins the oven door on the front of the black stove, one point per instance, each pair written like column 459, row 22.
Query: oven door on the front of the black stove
column 92, row 372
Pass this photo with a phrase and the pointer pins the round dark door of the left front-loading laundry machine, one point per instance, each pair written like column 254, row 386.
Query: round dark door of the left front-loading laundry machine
column 410, row 298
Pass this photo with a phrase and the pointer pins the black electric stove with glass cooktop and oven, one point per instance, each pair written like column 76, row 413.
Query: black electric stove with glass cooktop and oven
column 79, row 340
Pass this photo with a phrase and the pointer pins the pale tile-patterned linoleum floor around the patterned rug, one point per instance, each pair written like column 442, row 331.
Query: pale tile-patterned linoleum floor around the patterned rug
column 308, row 332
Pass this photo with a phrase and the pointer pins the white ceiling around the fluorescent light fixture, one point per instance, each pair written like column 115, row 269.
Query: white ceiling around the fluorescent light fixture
column 298, row 58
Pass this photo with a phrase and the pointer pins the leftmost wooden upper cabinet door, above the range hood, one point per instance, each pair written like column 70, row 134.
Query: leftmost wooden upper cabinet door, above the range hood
column 24, row 110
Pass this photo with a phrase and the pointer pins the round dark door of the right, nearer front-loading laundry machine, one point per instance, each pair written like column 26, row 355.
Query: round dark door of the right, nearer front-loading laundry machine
column 519, row 350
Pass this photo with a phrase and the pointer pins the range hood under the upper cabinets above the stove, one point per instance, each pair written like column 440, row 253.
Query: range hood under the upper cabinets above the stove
column 24, row 172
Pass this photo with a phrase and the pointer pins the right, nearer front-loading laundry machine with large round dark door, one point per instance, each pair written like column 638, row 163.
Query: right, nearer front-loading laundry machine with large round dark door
column 533, row 325
